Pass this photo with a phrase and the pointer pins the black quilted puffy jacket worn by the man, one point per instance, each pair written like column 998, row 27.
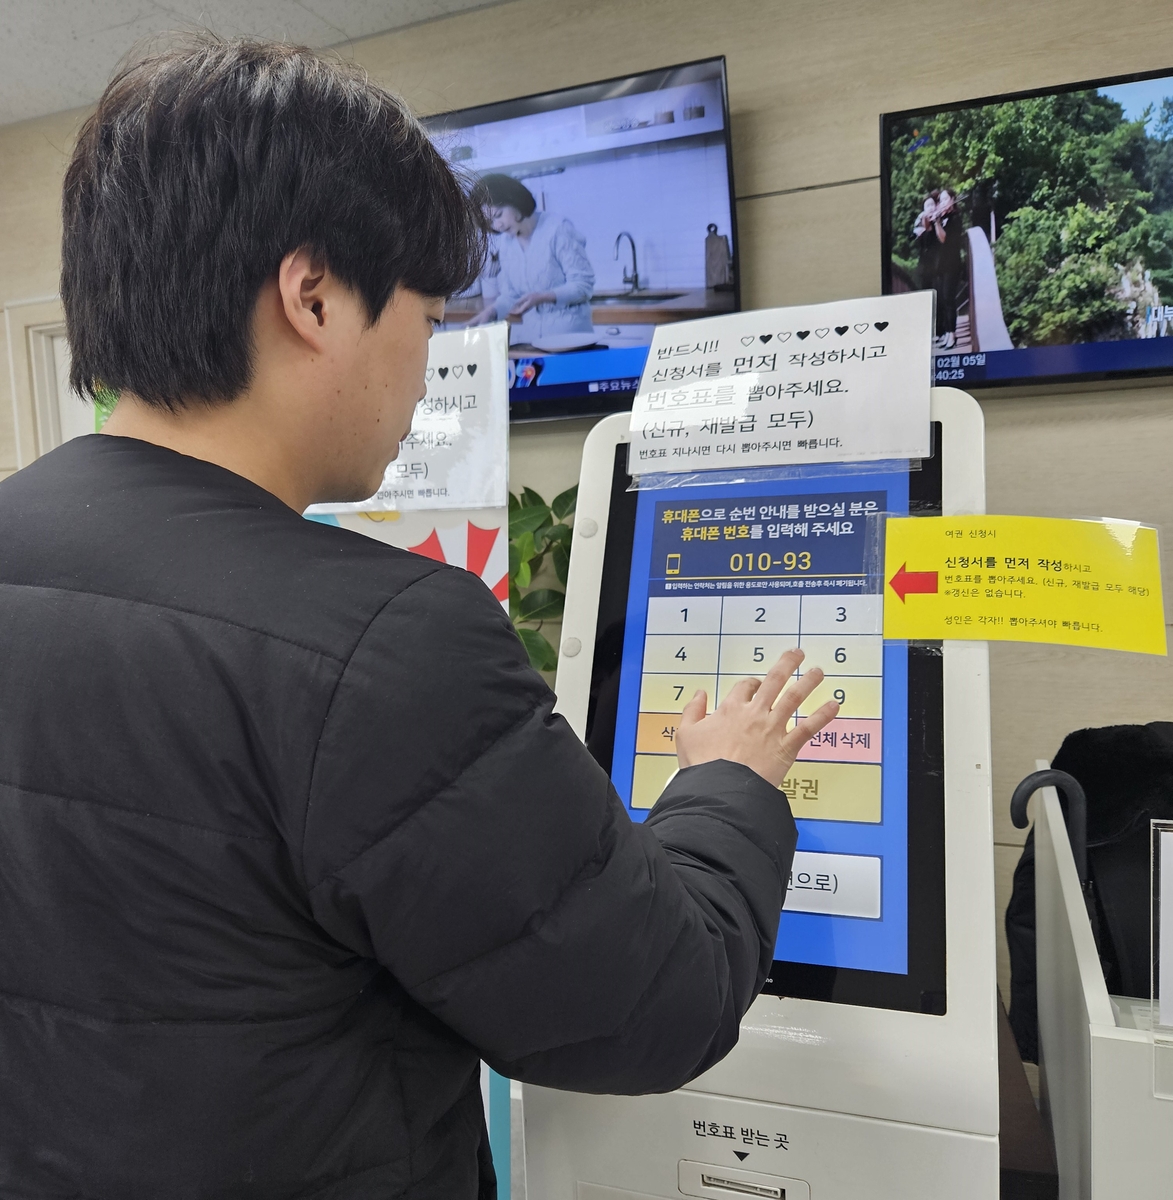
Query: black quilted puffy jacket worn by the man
column 290, row 839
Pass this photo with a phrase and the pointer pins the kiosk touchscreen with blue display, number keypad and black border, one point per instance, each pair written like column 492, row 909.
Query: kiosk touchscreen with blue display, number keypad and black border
column 708, row 585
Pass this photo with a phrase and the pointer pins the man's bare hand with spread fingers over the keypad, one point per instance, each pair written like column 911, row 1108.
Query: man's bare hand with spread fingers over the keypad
column 750, row 724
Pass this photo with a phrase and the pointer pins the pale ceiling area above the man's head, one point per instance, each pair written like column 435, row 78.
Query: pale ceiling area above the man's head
column 58, row 55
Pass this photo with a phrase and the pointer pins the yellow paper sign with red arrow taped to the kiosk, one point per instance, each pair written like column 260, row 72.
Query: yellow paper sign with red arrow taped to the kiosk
column 1093, row 584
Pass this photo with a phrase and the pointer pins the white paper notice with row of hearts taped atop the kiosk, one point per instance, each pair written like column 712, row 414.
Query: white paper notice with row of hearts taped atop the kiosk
column 823, row 383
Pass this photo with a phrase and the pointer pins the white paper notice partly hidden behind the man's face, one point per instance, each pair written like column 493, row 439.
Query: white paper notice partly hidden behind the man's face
column 458, row 453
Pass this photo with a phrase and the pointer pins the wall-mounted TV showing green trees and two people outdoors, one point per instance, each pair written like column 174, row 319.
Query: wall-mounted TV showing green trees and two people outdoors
column 1044, row 221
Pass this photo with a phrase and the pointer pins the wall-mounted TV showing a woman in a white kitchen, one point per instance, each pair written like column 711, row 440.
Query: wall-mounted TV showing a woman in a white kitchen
column 612, row 209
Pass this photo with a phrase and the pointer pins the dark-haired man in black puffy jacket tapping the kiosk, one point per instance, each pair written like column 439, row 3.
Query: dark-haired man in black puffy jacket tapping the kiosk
column 290, row 837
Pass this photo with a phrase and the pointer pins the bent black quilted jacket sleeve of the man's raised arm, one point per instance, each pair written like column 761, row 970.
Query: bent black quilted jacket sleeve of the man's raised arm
column 462, row 836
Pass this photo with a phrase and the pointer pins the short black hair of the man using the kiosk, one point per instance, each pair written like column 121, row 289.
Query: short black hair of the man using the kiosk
column 201, row 170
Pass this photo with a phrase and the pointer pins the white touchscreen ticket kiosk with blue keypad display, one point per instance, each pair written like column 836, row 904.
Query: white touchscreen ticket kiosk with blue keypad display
column 869, row 1066
